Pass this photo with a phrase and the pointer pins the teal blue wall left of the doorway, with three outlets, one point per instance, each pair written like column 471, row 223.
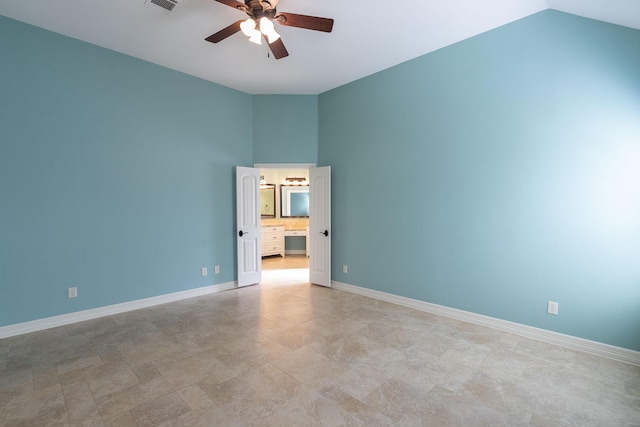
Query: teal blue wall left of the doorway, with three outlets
column 116, row 176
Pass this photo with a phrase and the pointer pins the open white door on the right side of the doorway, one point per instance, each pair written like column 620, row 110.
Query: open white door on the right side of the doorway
column 320, row 226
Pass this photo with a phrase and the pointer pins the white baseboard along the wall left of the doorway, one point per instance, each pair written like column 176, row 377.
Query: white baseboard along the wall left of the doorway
column 94, row 313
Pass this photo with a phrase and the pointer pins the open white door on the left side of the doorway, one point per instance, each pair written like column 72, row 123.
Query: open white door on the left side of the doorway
column 248, row 231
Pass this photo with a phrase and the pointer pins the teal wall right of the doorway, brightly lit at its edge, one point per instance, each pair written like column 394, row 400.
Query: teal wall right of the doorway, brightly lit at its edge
column 496, row 174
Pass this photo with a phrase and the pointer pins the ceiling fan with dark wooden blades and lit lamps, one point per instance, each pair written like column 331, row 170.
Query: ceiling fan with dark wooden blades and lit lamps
column 262, row 14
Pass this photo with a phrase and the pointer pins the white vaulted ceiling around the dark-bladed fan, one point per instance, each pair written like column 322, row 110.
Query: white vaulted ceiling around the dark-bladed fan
column 368, row 36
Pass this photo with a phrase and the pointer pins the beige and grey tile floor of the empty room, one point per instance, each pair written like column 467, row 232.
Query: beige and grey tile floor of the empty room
column 286, row 353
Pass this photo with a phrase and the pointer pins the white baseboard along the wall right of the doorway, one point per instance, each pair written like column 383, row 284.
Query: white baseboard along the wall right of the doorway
column 580, row 344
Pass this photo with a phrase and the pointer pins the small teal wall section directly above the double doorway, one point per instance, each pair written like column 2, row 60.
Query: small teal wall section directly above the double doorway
column 285, row 128
